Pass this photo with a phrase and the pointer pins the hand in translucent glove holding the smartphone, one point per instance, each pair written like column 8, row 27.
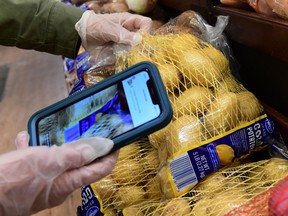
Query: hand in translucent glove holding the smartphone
column 36, row 178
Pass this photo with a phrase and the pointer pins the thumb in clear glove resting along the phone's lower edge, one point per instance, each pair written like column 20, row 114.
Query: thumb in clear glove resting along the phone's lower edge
column 53, row 161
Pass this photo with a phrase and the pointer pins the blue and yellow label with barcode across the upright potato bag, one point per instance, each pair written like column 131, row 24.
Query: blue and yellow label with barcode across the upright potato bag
column 188, row 168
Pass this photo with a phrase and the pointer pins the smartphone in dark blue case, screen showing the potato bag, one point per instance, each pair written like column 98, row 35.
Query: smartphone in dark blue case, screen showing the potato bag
column 124, row 107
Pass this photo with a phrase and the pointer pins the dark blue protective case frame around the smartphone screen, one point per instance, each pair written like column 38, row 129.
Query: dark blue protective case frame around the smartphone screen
column 130, row 136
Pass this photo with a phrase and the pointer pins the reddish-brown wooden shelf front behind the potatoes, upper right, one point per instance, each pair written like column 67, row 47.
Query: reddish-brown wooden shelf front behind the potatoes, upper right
column 257, row 31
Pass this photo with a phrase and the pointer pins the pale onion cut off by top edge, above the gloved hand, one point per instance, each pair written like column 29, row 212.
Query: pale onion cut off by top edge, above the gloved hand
column 141, row 6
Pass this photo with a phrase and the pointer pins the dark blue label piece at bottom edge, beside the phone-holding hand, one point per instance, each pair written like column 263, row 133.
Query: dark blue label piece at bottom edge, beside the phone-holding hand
column 90, row 203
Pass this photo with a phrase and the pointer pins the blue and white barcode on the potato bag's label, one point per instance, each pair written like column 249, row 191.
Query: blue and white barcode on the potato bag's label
column 182, row 172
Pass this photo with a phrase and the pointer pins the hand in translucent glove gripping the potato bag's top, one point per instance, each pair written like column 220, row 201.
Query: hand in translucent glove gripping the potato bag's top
column 99, row 29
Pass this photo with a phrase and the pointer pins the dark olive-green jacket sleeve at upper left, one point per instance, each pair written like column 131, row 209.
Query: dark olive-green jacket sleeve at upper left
column 42, row 25
